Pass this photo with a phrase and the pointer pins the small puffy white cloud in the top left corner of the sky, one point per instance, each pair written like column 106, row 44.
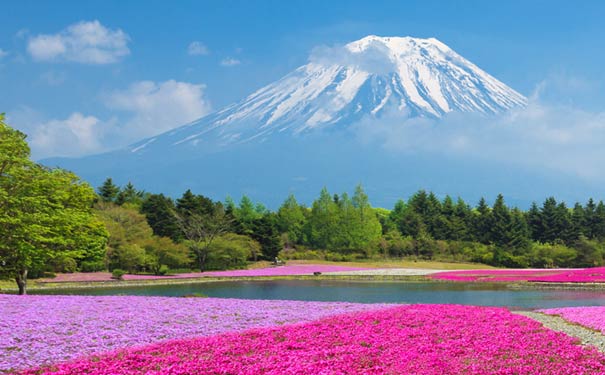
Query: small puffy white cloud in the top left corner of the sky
column 84, row 42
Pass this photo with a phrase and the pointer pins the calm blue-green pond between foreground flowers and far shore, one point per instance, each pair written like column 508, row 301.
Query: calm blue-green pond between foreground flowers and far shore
column 365, row 292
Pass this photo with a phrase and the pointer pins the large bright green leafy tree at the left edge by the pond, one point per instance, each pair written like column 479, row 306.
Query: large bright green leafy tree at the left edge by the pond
column 44, row 213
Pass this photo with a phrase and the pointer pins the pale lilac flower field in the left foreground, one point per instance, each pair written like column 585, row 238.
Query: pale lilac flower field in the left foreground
column 36, row 330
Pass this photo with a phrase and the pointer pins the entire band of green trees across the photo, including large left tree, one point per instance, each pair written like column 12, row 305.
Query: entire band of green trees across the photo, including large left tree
column 52, row 221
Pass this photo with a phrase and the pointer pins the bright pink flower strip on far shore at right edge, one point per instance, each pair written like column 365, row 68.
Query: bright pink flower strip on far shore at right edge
column 585, row 275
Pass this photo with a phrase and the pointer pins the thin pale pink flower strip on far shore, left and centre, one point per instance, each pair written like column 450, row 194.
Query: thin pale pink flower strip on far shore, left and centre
column 287, row 270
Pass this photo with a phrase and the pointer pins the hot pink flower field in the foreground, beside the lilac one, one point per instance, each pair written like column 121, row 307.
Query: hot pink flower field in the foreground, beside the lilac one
column 415, row 339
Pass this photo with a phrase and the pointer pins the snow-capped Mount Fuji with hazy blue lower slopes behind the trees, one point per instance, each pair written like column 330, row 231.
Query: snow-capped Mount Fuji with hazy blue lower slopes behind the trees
column 298, row 134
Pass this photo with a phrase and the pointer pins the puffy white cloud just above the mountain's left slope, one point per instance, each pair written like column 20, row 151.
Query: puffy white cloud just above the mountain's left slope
column 157, row 107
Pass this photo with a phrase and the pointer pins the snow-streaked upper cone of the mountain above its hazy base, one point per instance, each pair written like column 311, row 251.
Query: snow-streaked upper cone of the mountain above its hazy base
column 367, row 77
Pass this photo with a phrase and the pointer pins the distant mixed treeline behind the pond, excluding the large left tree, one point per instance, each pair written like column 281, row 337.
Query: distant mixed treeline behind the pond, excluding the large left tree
column 342, row 227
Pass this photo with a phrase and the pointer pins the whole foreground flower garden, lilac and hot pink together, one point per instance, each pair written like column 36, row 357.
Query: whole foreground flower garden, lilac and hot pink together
column 163, row 335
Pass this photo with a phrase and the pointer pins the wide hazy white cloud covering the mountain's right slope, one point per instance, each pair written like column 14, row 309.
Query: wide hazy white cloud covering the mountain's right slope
column 555, row 137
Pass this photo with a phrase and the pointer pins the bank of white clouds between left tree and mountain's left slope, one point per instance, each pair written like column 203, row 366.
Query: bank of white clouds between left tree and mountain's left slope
column 144, row 109
